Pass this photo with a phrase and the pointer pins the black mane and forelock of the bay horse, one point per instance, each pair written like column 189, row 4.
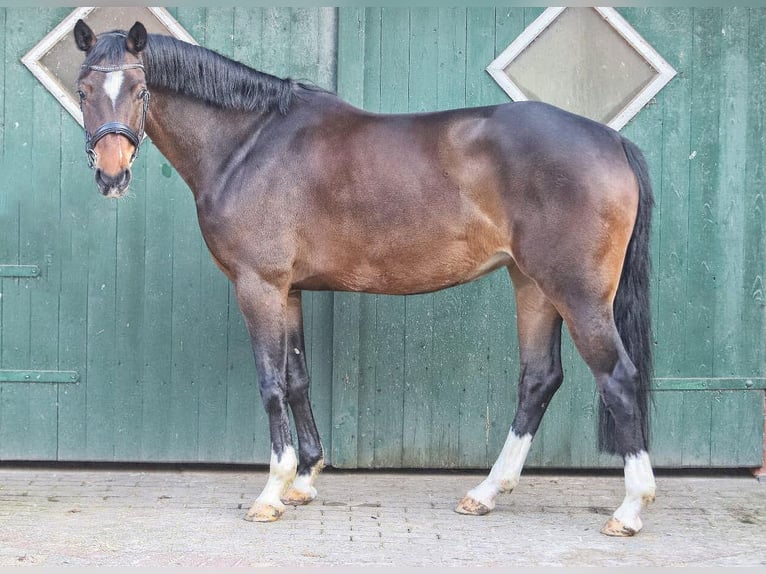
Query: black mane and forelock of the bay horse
column 200, row 73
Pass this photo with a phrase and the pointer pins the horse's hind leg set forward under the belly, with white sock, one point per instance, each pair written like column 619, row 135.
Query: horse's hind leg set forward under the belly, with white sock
column 539, row 331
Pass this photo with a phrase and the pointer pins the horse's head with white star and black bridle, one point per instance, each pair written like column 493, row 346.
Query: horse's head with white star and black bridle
column 114, row 102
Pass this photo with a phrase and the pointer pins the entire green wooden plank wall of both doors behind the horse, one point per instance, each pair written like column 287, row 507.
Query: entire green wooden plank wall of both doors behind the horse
column 127, row 299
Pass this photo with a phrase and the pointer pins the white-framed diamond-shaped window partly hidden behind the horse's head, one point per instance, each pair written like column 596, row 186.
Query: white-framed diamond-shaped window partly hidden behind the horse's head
column 55, row 60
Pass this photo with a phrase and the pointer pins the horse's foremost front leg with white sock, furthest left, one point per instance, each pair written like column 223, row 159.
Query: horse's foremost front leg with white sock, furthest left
column 263, row 306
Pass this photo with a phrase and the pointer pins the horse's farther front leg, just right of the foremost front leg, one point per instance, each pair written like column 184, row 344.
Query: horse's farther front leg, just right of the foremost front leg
column 310, row 453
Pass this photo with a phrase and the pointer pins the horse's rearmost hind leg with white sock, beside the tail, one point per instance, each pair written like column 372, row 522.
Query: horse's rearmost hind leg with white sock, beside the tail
column 595, row 335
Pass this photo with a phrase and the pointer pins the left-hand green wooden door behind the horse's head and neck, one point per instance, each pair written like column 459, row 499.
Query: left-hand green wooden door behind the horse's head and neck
column 121, row 340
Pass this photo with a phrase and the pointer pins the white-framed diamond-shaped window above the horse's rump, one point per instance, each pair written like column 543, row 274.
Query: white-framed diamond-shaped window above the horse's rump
column 589, row 61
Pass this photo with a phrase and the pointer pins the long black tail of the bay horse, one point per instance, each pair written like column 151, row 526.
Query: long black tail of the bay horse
column 632, row 305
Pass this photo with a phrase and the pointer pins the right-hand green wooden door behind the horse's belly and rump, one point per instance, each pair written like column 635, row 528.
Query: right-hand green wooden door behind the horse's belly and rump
column 429, row 381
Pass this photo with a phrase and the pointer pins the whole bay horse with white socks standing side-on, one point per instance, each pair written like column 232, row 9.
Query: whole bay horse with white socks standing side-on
column 298, row 190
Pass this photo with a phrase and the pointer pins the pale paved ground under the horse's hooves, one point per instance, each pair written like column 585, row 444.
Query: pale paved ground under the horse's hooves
column 127, row 516
